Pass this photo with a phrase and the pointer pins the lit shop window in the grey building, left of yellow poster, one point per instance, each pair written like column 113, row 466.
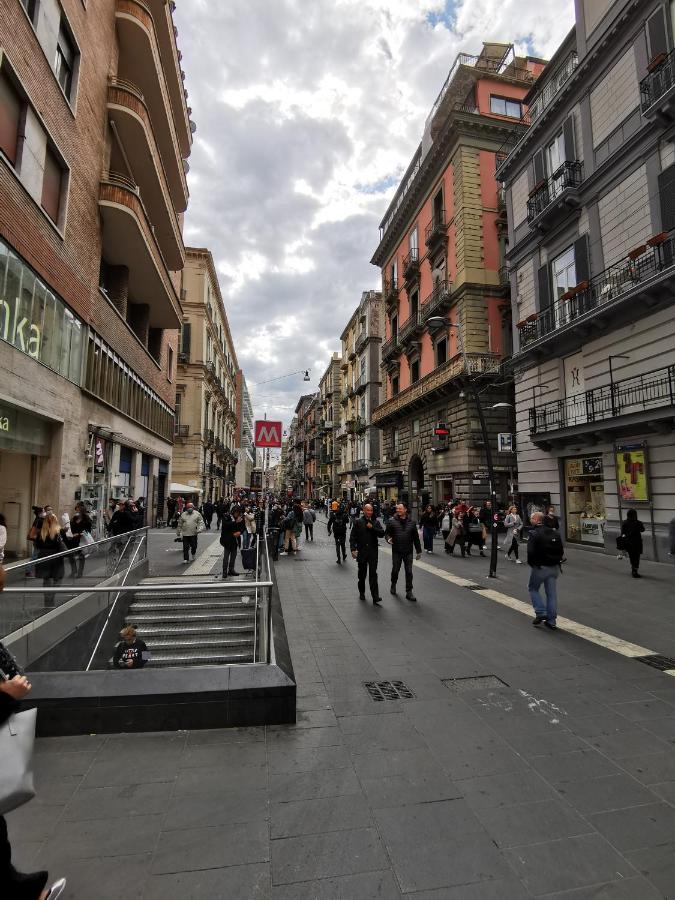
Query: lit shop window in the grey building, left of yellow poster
column 585, row 511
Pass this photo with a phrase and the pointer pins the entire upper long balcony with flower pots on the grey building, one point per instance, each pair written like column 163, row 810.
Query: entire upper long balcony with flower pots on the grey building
column 643, row 280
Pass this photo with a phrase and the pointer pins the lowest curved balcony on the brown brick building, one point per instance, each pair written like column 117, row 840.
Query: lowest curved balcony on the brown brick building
column 128, row 240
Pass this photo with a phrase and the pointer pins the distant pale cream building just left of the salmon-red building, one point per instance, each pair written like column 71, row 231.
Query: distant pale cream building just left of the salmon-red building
column 357, row 437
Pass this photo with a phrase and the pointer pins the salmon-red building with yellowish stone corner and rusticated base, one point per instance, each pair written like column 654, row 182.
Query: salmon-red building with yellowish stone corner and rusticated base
column 441, row 253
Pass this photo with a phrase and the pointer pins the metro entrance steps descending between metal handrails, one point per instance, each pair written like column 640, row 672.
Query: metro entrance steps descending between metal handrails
column 199, row 628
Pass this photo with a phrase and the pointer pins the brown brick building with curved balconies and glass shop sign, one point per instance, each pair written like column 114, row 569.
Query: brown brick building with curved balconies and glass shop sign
column 94, row 134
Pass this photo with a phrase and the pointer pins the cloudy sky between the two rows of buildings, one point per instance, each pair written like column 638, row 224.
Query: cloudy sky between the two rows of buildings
column 308, row 113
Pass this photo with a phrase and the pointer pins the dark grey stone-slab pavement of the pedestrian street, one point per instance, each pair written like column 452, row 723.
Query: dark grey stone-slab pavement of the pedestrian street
column 560, row 782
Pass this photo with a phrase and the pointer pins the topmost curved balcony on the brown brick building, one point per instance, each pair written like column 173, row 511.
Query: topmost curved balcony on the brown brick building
column 140, row 63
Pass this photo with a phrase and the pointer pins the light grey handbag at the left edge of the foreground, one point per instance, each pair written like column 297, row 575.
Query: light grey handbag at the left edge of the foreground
column 17, row 737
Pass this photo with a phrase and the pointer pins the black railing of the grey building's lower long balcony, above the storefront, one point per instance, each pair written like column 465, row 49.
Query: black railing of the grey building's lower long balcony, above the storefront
column 640, row 393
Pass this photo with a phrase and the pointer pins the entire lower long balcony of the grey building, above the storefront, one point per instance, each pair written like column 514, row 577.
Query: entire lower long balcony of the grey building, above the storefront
column 646, row 398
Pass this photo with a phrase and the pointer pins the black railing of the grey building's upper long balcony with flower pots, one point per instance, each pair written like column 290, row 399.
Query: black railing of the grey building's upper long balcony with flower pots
column 655, row 257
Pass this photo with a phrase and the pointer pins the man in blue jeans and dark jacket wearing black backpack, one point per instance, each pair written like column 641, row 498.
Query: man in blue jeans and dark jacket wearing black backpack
column 545, row 553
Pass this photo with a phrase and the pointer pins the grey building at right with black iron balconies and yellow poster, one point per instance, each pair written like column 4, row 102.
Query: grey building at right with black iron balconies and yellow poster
column 590, row 191
